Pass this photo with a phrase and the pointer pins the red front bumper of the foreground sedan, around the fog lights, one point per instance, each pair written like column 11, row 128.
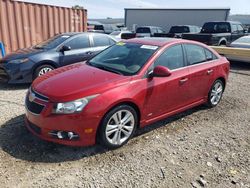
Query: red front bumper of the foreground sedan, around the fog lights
column 45, row 123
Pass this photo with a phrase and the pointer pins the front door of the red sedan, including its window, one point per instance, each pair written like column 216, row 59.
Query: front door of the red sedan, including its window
column 166, row 94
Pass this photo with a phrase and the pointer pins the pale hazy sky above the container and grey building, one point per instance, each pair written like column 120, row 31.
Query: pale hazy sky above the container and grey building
column 115, row 8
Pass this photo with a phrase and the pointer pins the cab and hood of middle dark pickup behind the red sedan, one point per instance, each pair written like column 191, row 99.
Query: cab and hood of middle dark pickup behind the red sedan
column 177, row 30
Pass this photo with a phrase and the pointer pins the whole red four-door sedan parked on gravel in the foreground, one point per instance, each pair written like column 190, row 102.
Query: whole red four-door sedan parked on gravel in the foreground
column 129, row 85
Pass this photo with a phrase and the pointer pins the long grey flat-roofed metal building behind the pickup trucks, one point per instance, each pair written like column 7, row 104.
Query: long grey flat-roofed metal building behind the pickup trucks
column 166, row 18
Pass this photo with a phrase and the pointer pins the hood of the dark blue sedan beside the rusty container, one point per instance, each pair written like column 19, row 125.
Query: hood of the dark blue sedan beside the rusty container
column 22, row 53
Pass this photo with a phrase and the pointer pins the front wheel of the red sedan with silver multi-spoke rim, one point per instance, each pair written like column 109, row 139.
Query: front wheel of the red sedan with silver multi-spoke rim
column 113, row 132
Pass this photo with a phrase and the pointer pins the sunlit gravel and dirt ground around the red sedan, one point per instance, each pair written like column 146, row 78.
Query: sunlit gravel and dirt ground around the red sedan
column 201, row 147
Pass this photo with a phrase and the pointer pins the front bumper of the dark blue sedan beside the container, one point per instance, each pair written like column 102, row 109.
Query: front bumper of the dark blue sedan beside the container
column 15, row 73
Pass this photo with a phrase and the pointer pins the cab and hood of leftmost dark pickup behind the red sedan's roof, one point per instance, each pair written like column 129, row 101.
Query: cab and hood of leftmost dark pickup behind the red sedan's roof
column 148, row 31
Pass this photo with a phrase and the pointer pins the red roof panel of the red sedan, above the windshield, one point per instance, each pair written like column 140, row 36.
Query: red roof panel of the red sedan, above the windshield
column 156, row 41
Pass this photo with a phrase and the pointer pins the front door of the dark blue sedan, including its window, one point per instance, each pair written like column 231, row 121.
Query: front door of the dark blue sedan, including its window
column 80, row 45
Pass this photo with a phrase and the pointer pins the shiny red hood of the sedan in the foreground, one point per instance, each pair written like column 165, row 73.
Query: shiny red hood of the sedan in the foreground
column 76, row 81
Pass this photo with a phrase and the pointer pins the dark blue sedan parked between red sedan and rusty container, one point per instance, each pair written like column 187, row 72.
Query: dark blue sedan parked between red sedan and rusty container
column 24, row 65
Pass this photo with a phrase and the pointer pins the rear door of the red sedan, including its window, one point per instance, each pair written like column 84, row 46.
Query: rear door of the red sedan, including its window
column 201, row 68
